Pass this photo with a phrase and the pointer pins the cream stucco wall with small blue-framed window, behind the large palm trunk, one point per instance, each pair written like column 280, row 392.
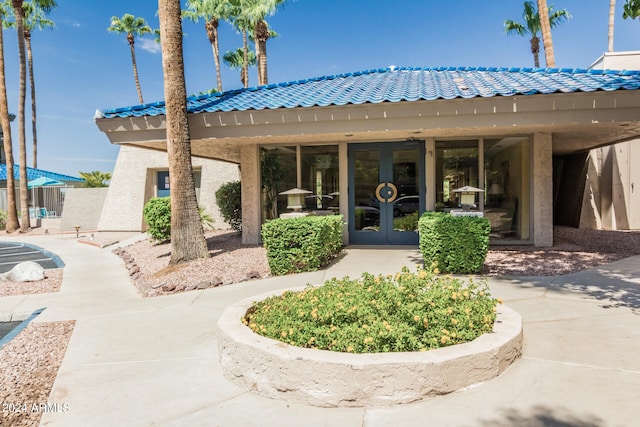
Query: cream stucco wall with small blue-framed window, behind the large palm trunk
column 133, row 184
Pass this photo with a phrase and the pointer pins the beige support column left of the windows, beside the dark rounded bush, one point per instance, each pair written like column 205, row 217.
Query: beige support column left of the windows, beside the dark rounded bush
column 250, row 185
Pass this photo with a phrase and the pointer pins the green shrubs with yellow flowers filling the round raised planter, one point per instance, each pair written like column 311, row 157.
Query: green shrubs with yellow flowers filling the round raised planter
column 406, row 312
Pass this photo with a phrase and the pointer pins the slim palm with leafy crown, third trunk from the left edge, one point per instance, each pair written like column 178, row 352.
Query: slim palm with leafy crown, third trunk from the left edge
column 34, row 18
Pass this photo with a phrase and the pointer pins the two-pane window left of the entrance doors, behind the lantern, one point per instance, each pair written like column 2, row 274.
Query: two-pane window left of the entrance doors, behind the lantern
column 311, row 168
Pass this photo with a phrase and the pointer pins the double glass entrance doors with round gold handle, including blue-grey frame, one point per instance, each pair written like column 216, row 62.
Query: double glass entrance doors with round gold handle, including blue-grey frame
column 386, row 197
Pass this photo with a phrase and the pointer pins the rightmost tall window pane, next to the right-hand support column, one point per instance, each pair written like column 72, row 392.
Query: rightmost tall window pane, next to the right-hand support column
column 506, row 176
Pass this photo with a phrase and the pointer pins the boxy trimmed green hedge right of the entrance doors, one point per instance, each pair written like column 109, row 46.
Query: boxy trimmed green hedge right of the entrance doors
column 454, row 244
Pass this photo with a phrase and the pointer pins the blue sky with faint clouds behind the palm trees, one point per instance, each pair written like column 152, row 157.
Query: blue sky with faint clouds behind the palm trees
column 80, row 67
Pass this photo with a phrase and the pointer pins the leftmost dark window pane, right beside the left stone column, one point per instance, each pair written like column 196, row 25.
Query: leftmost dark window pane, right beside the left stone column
column 278, row 174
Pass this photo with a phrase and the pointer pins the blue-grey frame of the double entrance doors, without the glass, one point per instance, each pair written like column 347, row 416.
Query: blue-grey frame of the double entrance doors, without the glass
column 388, row 236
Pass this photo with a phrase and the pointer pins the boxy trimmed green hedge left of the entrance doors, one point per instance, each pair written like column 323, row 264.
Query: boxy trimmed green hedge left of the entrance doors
column 301, row 244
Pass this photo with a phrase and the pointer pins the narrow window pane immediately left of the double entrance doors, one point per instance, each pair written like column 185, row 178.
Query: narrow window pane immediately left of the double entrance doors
column 320, row 176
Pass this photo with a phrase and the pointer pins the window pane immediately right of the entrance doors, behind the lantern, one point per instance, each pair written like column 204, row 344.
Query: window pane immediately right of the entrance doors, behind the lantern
column 456, row 167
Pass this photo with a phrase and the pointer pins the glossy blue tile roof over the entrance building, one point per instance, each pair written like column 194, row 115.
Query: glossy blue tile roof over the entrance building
column 398, row 84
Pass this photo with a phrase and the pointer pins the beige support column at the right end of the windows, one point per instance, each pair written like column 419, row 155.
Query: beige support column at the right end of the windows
column 542, row 187
